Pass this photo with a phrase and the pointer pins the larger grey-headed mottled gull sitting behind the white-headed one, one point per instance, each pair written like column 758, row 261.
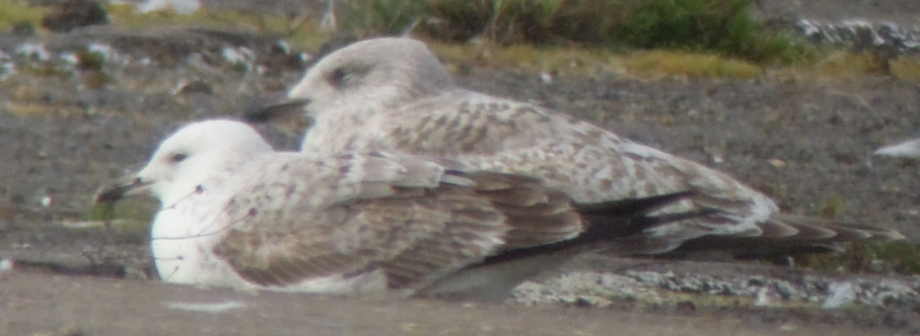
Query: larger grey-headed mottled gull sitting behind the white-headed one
column 393, row 94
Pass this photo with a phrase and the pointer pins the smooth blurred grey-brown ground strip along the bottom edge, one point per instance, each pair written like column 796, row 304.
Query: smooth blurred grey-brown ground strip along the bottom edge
column 93, row 306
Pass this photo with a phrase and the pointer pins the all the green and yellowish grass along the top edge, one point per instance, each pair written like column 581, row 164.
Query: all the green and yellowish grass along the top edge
column 651, row 20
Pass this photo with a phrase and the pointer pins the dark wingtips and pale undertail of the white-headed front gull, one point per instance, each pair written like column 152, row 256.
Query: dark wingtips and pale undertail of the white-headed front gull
column 611, row 224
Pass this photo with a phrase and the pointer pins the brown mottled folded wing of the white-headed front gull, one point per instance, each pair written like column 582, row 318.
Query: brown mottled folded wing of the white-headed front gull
column 353, row 214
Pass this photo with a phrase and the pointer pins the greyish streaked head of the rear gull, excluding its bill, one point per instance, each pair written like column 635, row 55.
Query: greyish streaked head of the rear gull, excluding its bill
column 382, row 72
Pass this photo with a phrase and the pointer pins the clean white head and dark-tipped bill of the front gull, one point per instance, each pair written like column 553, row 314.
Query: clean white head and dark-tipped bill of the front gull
column 188, row 158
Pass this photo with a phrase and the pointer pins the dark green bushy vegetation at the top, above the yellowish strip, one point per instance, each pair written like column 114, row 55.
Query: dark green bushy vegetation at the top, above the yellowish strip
column 710, row 26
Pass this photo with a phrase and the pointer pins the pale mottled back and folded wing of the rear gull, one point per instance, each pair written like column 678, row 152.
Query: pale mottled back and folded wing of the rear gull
column 588, row 163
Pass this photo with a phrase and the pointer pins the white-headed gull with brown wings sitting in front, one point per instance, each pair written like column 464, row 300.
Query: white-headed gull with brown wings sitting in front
column 236, row 213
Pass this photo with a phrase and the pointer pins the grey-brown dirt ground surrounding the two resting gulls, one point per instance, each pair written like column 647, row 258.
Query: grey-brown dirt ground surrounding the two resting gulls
column 807, row 142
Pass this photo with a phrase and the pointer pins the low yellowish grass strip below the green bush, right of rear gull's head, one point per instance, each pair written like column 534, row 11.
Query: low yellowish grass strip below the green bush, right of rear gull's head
column 822, row 64
